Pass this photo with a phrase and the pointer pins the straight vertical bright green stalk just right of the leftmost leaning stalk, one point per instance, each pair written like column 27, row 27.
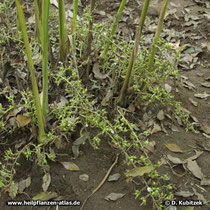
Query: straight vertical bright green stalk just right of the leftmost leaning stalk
column 45, row 17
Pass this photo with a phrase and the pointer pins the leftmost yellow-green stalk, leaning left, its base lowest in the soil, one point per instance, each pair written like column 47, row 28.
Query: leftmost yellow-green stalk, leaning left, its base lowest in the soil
column 31, row 69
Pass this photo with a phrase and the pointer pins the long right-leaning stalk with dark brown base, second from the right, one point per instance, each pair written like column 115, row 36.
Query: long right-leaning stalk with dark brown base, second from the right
column 134, row 53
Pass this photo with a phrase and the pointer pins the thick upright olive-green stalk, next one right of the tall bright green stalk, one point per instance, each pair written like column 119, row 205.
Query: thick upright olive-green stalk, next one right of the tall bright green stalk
column 62, row 30
